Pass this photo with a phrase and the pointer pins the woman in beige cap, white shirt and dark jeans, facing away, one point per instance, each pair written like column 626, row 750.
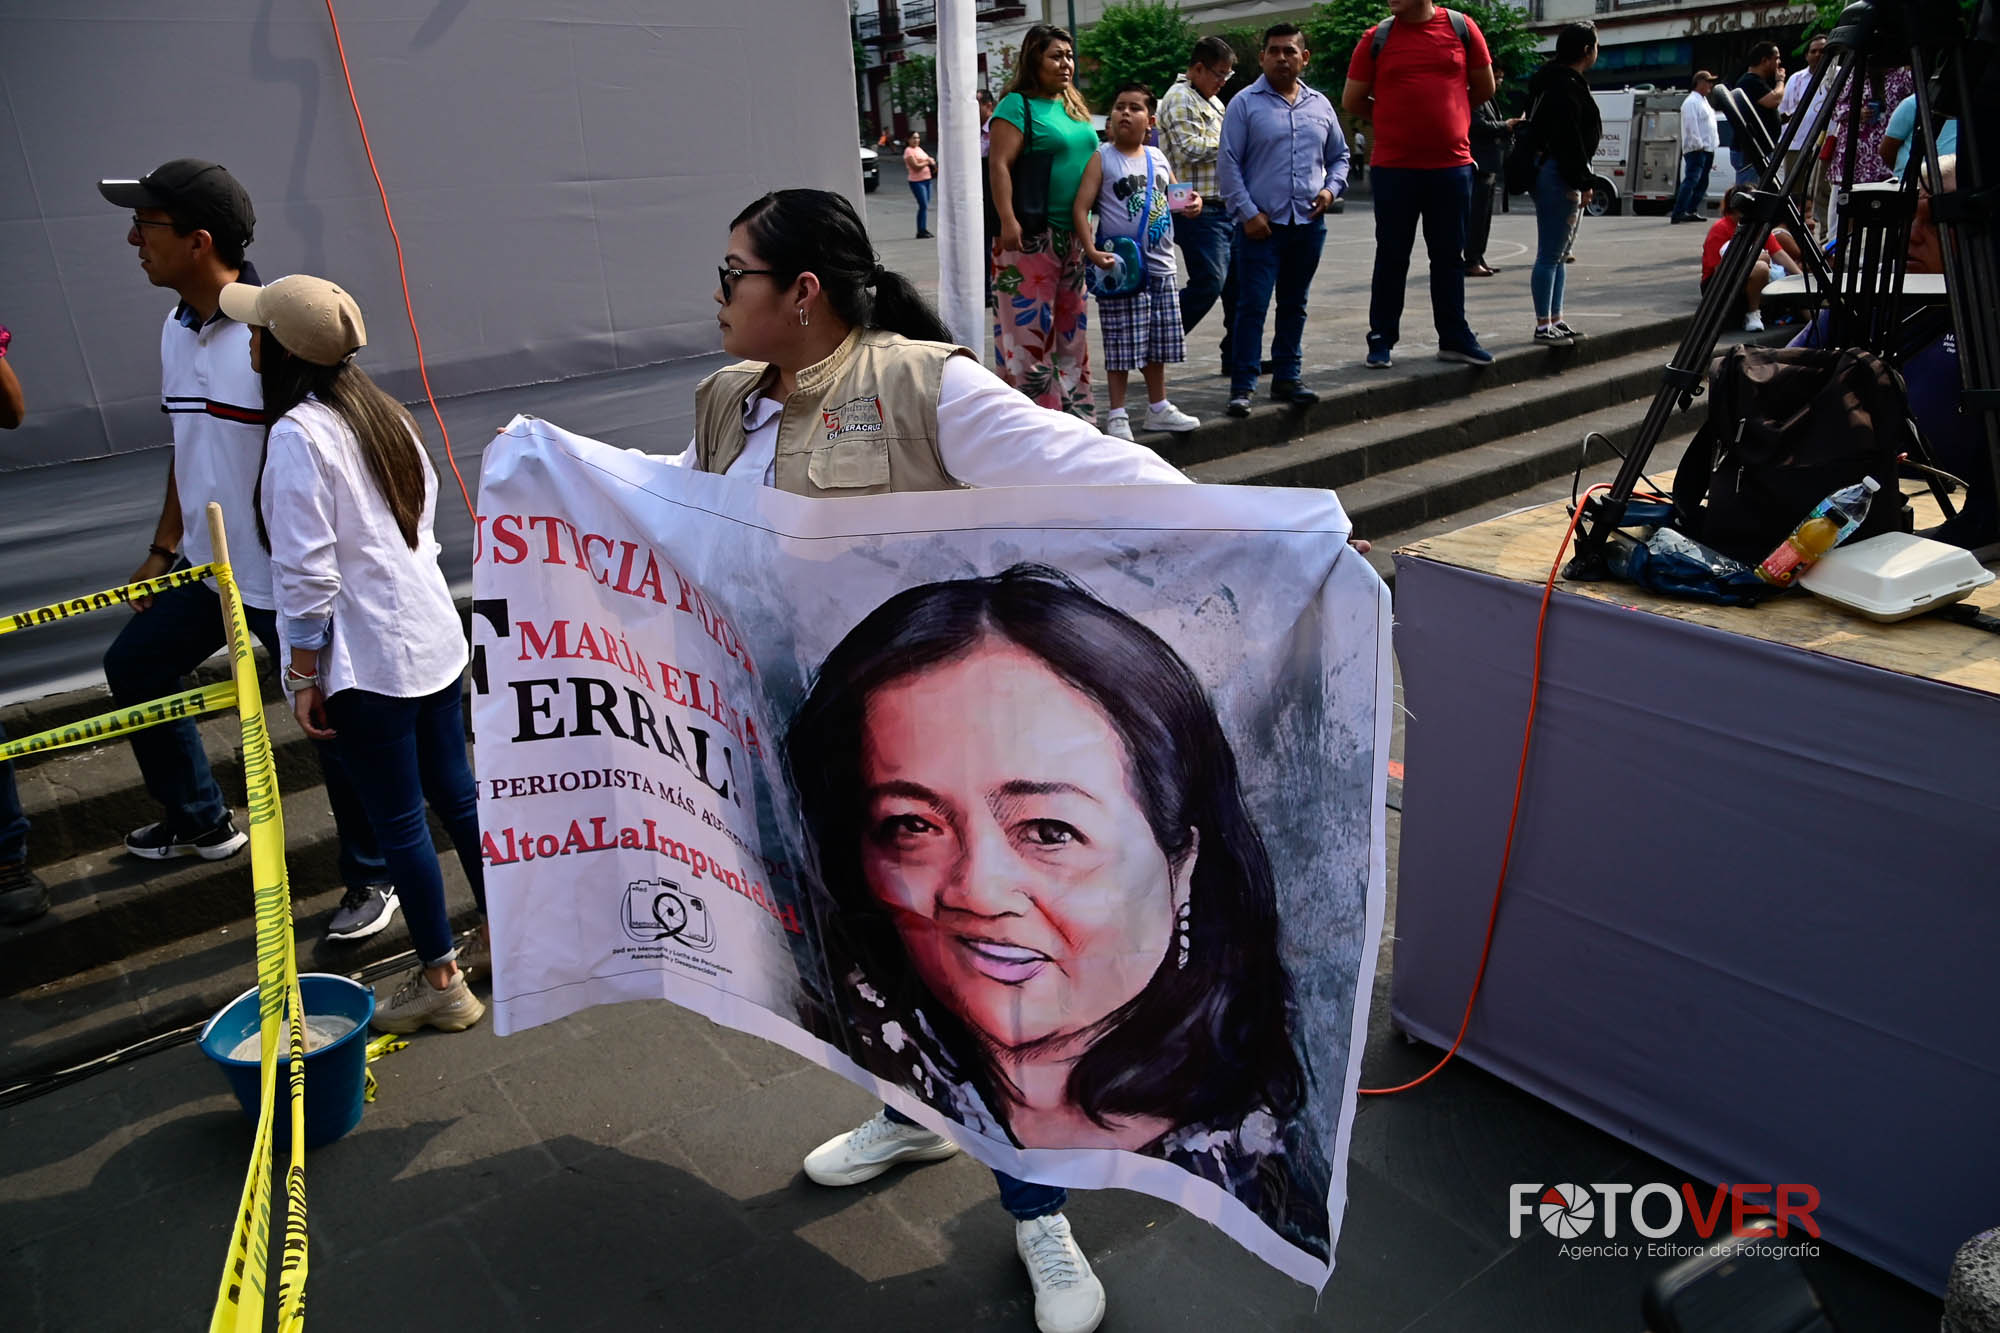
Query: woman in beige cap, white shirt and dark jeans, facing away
column 377, row 653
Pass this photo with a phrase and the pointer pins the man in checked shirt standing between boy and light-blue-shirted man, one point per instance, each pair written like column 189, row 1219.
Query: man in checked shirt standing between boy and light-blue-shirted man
column 1191, row 133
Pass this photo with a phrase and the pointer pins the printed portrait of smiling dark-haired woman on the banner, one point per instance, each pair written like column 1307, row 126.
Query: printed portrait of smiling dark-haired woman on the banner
column 1045, row 906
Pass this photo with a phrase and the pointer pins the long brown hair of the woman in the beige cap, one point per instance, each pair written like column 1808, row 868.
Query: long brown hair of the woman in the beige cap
column 383, row 429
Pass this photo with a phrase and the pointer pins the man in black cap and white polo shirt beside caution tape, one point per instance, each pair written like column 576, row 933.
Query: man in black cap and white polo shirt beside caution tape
column 191, row 223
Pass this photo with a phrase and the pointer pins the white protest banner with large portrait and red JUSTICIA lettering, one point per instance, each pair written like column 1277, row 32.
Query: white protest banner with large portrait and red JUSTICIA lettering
column 1053, row 816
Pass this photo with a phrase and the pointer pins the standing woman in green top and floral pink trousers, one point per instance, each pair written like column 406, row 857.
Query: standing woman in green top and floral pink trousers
column 1039, row 267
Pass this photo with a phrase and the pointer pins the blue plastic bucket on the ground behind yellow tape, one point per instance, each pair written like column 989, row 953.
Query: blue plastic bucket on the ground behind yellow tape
column 337, row 1074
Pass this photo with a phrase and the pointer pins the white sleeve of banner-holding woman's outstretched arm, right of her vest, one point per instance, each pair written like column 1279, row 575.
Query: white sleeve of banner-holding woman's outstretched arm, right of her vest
column 991, row 435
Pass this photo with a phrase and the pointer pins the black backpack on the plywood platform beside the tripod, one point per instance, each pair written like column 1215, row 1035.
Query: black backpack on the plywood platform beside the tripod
column 1787, row 427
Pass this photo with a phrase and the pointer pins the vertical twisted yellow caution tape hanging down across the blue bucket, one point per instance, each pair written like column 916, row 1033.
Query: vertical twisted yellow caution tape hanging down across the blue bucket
column 241, row 1296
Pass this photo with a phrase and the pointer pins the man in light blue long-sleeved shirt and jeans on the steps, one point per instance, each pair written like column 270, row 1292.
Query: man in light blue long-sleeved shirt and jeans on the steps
column 1283, row 165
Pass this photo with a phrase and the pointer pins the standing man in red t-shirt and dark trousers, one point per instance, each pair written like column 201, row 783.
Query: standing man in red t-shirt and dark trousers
column 1419, row 87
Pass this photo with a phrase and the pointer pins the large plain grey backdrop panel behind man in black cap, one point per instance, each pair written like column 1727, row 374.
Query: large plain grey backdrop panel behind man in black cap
column 563, row 173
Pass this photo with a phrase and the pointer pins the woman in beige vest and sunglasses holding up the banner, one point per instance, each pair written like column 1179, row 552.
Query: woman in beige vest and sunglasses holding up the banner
column 823, row 327
